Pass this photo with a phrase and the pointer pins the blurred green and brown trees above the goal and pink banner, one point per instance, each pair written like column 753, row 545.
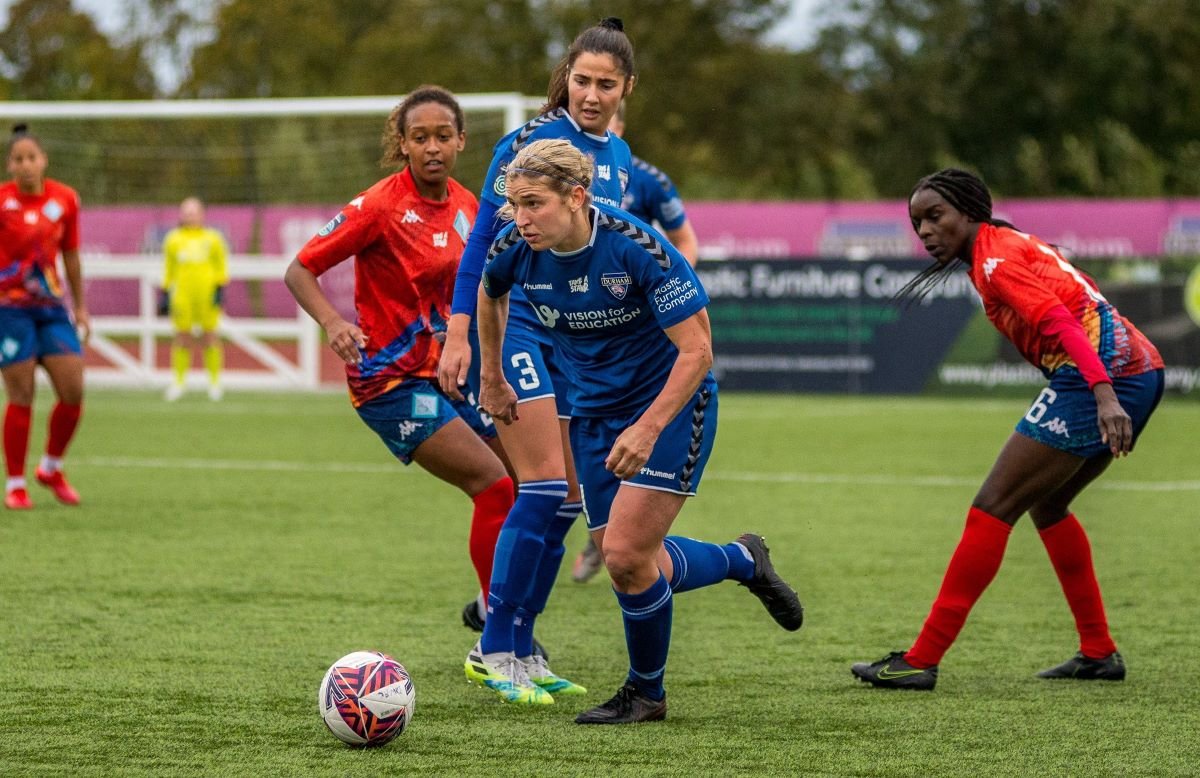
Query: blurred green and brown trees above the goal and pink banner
column 1043, row 98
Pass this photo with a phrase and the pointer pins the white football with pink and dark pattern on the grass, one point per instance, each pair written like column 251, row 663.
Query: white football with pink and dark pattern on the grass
column 367, row 699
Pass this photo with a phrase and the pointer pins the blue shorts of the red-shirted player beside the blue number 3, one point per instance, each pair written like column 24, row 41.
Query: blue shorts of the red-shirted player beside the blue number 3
column 411, row 414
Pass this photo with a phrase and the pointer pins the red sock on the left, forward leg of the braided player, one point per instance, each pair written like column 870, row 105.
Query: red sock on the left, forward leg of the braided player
column 973, row 568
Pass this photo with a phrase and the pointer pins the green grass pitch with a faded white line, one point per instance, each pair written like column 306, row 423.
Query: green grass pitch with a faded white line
column 226, row 554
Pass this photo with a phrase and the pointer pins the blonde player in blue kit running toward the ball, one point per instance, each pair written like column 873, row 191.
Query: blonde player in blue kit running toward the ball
column 628, row 316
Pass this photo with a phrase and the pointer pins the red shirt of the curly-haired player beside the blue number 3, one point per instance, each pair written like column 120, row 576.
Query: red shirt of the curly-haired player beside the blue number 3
column 407, row 253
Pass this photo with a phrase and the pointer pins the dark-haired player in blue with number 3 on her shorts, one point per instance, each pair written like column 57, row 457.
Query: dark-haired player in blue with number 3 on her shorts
column 585, row 92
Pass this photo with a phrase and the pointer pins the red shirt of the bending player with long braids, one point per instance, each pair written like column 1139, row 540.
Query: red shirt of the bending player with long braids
column 1021, row 278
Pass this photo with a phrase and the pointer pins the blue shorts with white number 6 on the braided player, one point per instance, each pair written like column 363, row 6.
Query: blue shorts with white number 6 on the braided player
column 1064, row 416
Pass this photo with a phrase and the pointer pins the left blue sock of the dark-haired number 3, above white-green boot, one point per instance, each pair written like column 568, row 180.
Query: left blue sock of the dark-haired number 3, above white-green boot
column 518, row 552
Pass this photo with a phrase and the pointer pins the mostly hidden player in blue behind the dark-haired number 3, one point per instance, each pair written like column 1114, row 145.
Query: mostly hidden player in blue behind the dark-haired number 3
column 653, row 199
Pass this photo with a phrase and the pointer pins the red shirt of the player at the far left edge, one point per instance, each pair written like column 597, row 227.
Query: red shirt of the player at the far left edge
column 34, row 229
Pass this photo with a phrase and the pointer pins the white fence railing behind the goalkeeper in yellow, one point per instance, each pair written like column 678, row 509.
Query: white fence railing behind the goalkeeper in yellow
column 140, row 367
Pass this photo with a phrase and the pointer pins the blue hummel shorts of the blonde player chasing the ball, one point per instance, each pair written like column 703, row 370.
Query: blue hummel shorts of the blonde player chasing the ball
column 676, row 465
